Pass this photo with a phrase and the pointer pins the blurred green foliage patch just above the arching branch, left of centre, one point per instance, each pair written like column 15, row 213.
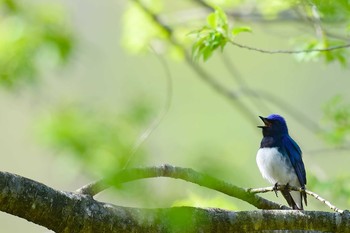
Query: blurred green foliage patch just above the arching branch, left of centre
column 101, row 141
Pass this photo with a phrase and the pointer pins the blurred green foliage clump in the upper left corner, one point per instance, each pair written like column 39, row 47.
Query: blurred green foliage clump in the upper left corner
column 30, row 34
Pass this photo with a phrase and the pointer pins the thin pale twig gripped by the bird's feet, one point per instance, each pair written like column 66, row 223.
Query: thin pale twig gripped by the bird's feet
column 293, row 188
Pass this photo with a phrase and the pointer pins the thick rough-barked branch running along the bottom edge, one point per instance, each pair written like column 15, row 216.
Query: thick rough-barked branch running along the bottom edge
column 72, row 212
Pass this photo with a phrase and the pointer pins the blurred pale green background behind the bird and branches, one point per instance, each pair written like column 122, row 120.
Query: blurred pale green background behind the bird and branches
column 82, row 81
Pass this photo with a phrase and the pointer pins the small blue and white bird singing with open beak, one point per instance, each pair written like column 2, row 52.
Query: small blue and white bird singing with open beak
column 280, row 161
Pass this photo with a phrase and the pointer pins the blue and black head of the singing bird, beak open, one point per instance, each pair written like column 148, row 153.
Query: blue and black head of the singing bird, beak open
column 275, row 125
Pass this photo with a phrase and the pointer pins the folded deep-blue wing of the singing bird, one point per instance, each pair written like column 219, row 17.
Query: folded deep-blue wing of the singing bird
column 294, row 154
